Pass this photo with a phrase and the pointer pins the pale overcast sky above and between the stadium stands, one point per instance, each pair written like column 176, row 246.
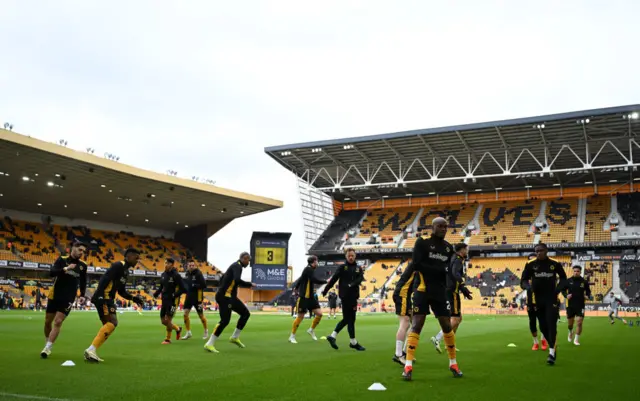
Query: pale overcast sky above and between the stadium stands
column 202, row 87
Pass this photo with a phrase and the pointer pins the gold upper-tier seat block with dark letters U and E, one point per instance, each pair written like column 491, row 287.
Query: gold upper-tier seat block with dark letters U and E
column 506, row 222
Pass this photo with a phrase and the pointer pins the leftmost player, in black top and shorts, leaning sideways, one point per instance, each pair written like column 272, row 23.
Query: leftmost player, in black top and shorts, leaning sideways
column 70, row 272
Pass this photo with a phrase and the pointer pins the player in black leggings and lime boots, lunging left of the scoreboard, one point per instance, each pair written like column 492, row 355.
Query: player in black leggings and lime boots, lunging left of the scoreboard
column 227, row 299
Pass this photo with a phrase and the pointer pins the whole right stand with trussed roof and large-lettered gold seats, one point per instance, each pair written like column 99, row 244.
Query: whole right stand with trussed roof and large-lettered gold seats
column 500, row 210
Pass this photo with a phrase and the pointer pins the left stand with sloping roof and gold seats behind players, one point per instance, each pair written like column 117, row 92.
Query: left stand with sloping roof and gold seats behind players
column 121, row 206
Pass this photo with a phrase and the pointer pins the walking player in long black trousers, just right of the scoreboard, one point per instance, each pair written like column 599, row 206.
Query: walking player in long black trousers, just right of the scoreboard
column 350, row 276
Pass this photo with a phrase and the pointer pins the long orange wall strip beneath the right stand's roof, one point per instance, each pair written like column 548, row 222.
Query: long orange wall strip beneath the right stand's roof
column 549, row 193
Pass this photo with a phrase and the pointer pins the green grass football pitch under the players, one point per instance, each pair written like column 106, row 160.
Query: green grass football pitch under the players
column 137, row 367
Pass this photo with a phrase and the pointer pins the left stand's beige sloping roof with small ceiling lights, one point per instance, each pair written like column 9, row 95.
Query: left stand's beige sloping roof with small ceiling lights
column 45, row 178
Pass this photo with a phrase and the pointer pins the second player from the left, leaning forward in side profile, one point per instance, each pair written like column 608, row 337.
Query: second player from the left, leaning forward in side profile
column 113, row 280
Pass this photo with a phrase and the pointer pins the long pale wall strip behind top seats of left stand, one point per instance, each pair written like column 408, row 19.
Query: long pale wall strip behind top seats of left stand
column 96, row 225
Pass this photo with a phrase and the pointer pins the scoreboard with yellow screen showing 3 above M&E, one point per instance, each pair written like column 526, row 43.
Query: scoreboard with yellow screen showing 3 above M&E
column 269, row 254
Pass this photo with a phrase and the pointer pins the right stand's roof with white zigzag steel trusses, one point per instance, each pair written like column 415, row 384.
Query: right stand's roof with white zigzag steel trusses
column 569, row 149
